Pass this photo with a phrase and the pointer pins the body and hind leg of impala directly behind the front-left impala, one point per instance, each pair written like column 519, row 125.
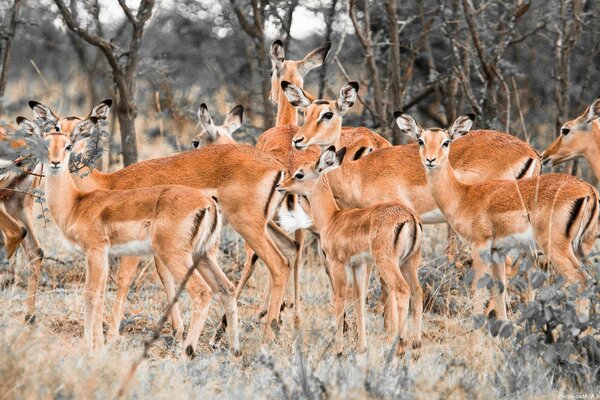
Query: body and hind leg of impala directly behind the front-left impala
column 242, row 178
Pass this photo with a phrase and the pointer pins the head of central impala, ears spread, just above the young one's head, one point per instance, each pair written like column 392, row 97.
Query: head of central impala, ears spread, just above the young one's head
column 322, row 118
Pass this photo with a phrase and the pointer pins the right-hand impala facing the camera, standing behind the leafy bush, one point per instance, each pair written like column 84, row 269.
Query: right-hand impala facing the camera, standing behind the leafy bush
column 556, row 212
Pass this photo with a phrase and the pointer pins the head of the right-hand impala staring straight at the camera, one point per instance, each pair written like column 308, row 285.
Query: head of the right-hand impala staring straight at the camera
column 434, row 143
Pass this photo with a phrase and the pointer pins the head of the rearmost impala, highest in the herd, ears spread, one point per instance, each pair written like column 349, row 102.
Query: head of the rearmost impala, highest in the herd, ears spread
column 292, row 71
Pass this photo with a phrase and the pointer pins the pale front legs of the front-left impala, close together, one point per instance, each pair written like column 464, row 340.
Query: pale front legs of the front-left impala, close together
column 95, row 283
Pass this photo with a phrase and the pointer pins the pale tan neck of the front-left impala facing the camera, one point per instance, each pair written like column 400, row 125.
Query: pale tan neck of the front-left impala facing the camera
column 61, row 194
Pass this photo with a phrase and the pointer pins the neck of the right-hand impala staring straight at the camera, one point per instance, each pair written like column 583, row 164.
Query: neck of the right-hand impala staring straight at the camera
column 446, row 190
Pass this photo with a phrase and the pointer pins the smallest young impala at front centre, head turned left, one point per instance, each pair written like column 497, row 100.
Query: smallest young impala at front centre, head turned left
column 388, row 234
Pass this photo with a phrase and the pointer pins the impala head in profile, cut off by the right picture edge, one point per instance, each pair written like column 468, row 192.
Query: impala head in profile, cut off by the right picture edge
column 578, row 137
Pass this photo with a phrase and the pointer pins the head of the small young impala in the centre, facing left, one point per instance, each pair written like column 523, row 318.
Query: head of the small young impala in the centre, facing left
column 305, row 178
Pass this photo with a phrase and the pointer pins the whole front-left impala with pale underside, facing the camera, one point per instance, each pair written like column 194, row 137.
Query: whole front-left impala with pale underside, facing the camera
column 179, row 225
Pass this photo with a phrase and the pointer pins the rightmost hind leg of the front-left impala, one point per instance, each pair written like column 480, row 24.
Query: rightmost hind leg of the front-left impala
column 225, row 291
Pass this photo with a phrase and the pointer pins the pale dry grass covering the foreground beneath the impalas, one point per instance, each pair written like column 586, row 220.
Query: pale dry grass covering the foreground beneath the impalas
column 48, row 360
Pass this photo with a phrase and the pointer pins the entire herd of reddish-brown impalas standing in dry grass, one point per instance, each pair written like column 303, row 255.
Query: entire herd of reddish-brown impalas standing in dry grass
column 364, row 199
